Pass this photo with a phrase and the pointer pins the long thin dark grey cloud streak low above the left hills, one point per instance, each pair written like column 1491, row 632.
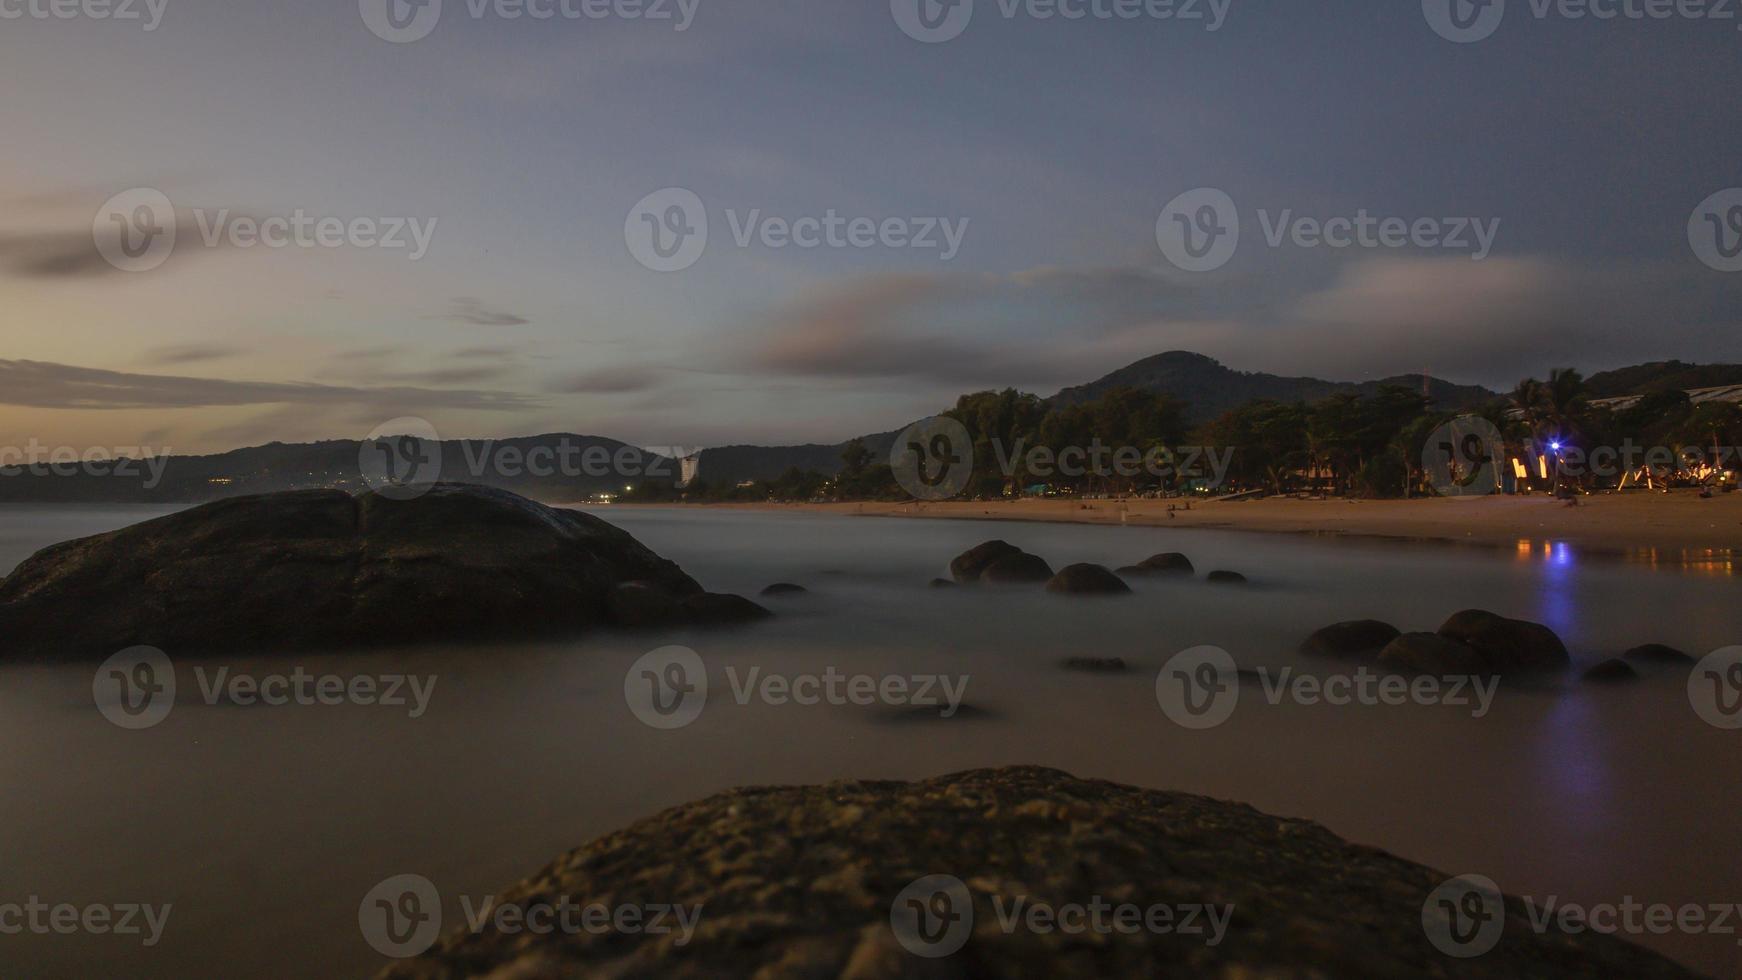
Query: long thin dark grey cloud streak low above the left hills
column 36, row 384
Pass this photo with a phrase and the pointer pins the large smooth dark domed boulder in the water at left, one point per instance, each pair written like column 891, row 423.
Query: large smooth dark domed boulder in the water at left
column 337, row 572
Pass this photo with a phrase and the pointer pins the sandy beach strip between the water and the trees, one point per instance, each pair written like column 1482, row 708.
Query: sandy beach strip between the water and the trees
column 1652, row 527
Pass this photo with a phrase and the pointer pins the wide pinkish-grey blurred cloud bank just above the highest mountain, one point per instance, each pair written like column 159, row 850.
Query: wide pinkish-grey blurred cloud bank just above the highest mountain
column 1468, row 321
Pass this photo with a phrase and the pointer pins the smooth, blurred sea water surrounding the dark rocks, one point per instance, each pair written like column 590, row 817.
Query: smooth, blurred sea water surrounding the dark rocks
column 1584, row 793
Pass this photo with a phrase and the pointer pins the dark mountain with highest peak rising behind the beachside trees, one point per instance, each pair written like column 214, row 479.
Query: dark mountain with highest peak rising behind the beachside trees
column 1212, row 389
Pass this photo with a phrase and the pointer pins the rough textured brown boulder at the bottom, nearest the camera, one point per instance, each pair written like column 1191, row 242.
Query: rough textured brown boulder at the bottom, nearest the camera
column 800, row 882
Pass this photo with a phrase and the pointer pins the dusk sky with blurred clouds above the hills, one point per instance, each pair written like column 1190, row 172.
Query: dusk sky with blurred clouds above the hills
column 990, row 198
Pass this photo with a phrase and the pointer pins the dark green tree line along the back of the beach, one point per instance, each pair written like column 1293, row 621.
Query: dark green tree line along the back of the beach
column 1347, row 445
